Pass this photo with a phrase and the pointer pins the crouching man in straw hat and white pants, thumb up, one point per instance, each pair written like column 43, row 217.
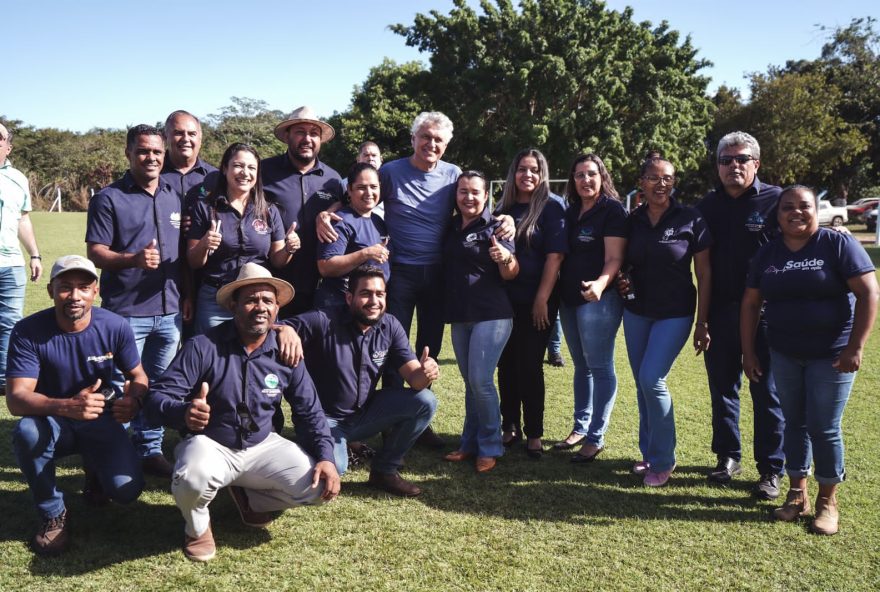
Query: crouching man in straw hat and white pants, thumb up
column 221, row 392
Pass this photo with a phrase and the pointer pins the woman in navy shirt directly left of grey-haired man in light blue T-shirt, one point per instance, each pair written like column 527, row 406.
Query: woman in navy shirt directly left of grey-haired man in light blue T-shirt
column 361, row 238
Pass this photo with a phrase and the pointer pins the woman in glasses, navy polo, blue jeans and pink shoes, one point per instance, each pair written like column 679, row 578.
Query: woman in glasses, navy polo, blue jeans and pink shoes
column 660, row 300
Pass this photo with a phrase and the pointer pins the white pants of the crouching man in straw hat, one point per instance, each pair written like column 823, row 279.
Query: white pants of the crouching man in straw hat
column 276, row 474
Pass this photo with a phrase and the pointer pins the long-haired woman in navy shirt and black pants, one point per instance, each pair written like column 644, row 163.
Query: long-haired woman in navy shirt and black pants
column 540, row 246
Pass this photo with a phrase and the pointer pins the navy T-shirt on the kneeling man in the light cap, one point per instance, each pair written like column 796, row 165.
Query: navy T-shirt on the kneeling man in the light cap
column 65, row 363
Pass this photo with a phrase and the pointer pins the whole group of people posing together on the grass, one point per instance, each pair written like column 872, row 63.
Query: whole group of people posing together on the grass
column 299, row 284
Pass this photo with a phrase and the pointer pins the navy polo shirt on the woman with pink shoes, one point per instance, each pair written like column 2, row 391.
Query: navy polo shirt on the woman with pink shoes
column 660, row 257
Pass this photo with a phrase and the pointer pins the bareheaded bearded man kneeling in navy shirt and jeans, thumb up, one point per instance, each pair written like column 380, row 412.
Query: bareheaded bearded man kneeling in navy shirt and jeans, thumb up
column 346, row 353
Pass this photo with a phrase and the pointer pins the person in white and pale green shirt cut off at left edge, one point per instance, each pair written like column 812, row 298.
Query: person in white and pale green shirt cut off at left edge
column 15, row 226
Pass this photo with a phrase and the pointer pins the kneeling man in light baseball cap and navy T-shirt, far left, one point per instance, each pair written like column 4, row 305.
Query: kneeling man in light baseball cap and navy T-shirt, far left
column 60, row 368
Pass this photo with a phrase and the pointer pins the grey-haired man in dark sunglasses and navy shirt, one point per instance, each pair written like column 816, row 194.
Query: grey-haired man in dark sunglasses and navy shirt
column 741, row 215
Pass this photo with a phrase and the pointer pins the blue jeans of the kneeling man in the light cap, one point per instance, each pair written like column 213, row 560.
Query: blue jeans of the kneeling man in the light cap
column 103, row 444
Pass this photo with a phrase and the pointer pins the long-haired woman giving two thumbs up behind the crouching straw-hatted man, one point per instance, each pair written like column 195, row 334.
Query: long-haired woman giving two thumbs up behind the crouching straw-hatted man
column 234, row 225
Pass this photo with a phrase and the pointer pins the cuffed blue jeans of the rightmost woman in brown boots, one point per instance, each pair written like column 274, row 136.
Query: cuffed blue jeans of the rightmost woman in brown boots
column 813, row 395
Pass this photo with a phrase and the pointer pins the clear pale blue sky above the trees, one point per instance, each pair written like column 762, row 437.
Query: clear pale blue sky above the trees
column 113, row 63
